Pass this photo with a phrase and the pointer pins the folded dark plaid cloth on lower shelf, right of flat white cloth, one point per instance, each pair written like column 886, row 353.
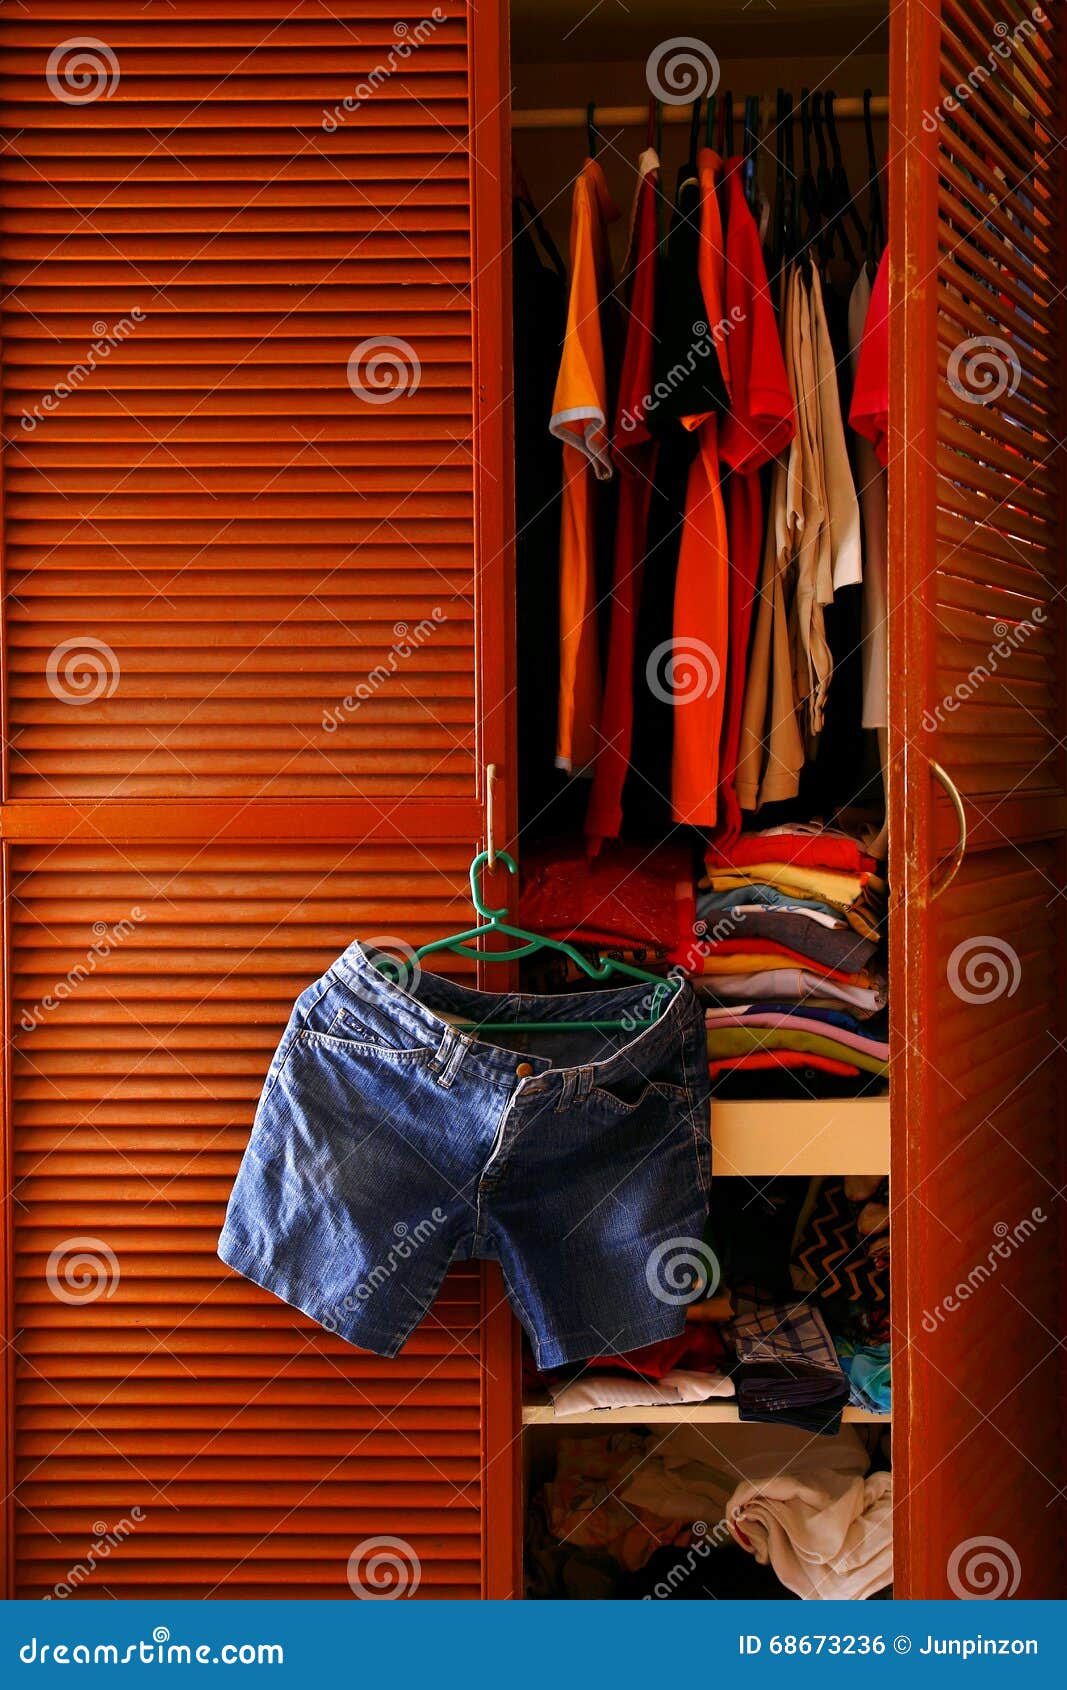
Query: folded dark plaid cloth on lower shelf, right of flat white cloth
column 787, row 1366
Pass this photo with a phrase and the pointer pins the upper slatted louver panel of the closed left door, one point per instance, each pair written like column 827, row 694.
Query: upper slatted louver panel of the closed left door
column 310, row 543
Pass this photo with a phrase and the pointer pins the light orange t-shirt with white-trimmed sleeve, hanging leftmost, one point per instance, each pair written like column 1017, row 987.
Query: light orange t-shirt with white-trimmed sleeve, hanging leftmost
column 579, row 418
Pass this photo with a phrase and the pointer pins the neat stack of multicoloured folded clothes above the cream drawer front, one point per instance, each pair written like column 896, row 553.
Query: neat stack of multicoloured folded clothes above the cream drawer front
column 789, row 956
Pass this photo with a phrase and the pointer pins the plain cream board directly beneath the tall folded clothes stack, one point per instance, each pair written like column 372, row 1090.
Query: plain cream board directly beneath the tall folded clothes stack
column 831, row 1137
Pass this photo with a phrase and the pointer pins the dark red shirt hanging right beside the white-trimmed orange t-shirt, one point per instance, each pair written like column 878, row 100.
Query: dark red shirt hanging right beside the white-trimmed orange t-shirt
column 635, row 455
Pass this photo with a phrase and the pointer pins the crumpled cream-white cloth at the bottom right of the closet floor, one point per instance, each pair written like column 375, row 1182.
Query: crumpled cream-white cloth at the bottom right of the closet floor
column 828, row 1535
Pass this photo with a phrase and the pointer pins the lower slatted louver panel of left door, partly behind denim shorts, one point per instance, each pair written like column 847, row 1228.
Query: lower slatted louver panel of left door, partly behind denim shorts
column 133, row 1096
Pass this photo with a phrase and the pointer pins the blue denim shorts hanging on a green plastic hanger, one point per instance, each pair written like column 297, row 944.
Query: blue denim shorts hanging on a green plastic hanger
column 390, row 1143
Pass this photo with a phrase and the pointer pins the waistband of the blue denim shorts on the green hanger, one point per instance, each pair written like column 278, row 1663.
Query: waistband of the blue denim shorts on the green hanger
column 434, row 1023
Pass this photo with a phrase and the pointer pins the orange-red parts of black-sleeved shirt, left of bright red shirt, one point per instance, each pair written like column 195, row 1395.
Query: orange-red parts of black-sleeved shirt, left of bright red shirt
column 703, row 584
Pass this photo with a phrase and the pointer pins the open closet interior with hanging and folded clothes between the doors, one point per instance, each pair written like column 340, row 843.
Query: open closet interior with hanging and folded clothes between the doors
column 701, row 579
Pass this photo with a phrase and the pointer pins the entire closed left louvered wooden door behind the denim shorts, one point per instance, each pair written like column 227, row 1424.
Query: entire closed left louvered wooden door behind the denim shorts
column 254, row 484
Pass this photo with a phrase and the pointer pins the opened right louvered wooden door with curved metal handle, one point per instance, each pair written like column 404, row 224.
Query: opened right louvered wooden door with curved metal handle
column 978, row 557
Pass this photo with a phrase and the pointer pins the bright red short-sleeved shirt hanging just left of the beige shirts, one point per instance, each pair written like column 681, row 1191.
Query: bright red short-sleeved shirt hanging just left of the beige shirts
column 758, row 427
